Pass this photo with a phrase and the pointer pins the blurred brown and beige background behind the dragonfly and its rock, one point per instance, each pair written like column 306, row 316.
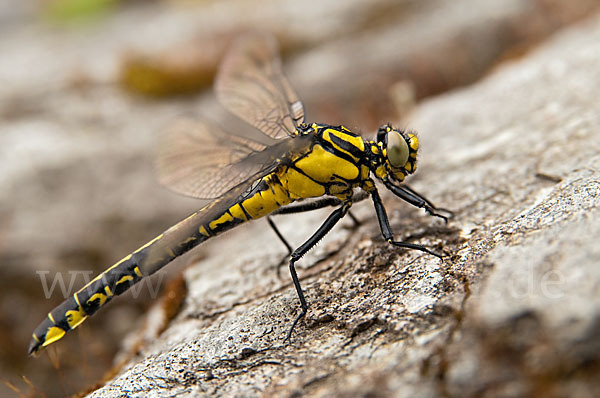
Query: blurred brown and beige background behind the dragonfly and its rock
column 87, row 85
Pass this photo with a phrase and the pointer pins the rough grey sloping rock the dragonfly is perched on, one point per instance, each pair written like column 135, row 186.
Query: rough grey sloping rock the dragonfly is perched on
column 513, row 310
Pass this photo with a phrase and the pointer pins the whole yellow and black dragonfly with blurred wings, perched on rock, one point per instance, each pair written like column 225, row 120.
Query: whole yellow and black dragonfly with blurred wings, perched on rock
column 294, row 167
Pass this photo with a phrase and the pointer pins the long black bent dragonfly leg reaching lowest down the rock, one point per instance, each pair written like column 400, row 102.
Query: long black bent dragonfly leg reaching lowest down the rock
column 333, row 218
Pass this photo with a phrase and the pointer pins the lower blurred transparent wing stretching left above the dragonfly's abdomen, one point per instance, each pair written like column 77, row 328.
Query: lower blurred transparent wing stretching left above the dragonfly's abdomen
column 198, row 159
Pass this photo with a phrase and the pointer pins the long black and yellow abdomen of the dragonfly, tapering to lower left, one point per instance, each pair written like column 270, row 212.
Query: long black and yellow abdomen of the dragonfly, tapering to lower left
column 264, row 196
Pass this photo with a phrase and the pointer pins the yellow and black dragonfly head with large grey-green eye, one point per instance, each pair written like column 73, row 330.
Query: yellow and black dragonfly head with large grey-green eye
column 398, row 150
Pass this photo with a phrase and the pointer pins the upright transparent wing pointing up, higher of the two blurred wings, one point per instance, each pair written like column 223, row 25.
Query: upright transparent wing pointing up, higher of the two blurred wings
column 251, row 84
